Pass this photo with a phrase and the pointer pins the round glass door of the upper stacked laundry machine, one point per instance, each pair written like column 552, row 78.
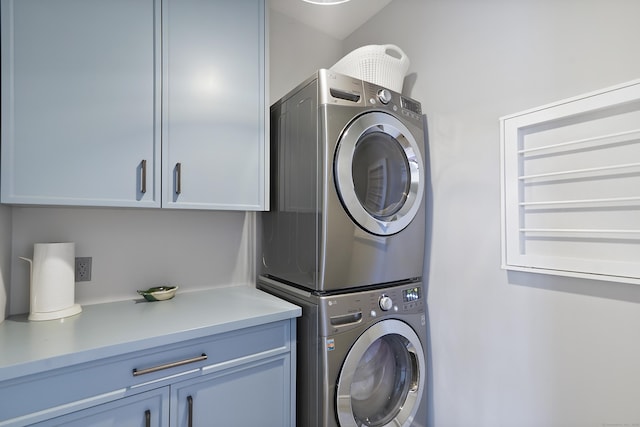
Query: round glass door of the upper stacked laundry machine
column 379, row 174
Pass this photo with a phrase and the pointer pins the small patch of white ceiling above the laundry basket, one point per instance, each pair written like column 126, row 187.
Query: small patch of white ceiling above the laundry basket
column 338, row 20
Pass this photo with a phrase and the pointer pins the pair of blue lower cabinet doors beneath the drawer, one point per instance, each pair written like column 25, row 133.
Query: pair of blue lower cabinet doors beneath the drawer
column 255, row 394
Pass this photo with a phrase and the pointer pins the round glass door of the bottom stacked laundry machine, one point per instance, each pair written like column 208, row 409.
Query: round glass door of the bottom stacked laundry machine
column 383, row 377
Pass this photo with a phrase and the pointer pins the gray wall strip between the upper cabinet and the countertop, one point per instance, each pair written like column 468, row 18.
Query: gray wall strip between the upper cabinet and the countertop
column 136, row 249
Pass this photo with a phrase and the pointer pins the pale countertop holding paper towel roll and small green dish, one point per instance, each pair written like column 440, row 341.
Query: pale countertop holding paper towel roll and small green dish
column 105, row 330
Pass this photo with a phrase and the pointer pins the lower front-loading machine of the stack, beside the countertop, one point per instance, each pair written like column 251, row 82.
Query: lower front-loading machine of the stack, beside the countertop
column 361, row 356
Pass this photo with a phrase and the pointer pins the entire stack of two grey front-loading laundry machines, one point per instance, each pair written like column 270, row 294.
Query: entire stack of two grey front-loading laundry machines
column 345, row 241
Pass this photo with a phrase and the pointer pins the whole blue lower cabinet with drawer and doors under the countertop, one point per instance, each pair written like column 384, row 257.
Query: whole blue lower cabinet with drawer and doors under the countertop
column 240, row 378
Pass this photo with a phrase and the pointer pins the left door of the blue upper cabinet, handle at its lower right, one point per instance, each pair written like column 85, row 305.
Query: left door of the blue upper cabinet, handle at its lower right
column 80, row 87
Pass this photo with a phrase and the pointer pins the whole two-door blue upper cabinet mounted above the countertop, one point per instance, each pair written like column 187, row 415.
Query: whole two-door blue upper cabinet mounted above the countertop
column 139, row 103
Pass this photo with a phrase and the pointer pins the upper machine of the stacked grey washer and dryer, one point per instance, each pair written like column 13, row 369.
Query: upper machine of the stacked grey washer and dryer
column 347, row 186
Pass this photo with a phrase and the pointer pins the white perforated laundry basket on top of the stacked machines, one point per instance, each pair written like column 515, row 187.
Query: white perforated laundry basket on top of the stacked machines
column 384, row 65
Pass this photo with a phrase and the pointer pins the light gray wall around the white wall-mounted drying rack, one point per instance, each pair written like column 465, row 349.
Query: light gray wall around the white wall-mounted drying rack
column 512, row 349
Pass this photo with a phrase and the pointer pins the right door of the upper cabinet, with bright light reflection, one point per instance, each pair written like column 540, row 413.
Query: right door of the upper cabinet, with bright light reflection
column 214, row 106
